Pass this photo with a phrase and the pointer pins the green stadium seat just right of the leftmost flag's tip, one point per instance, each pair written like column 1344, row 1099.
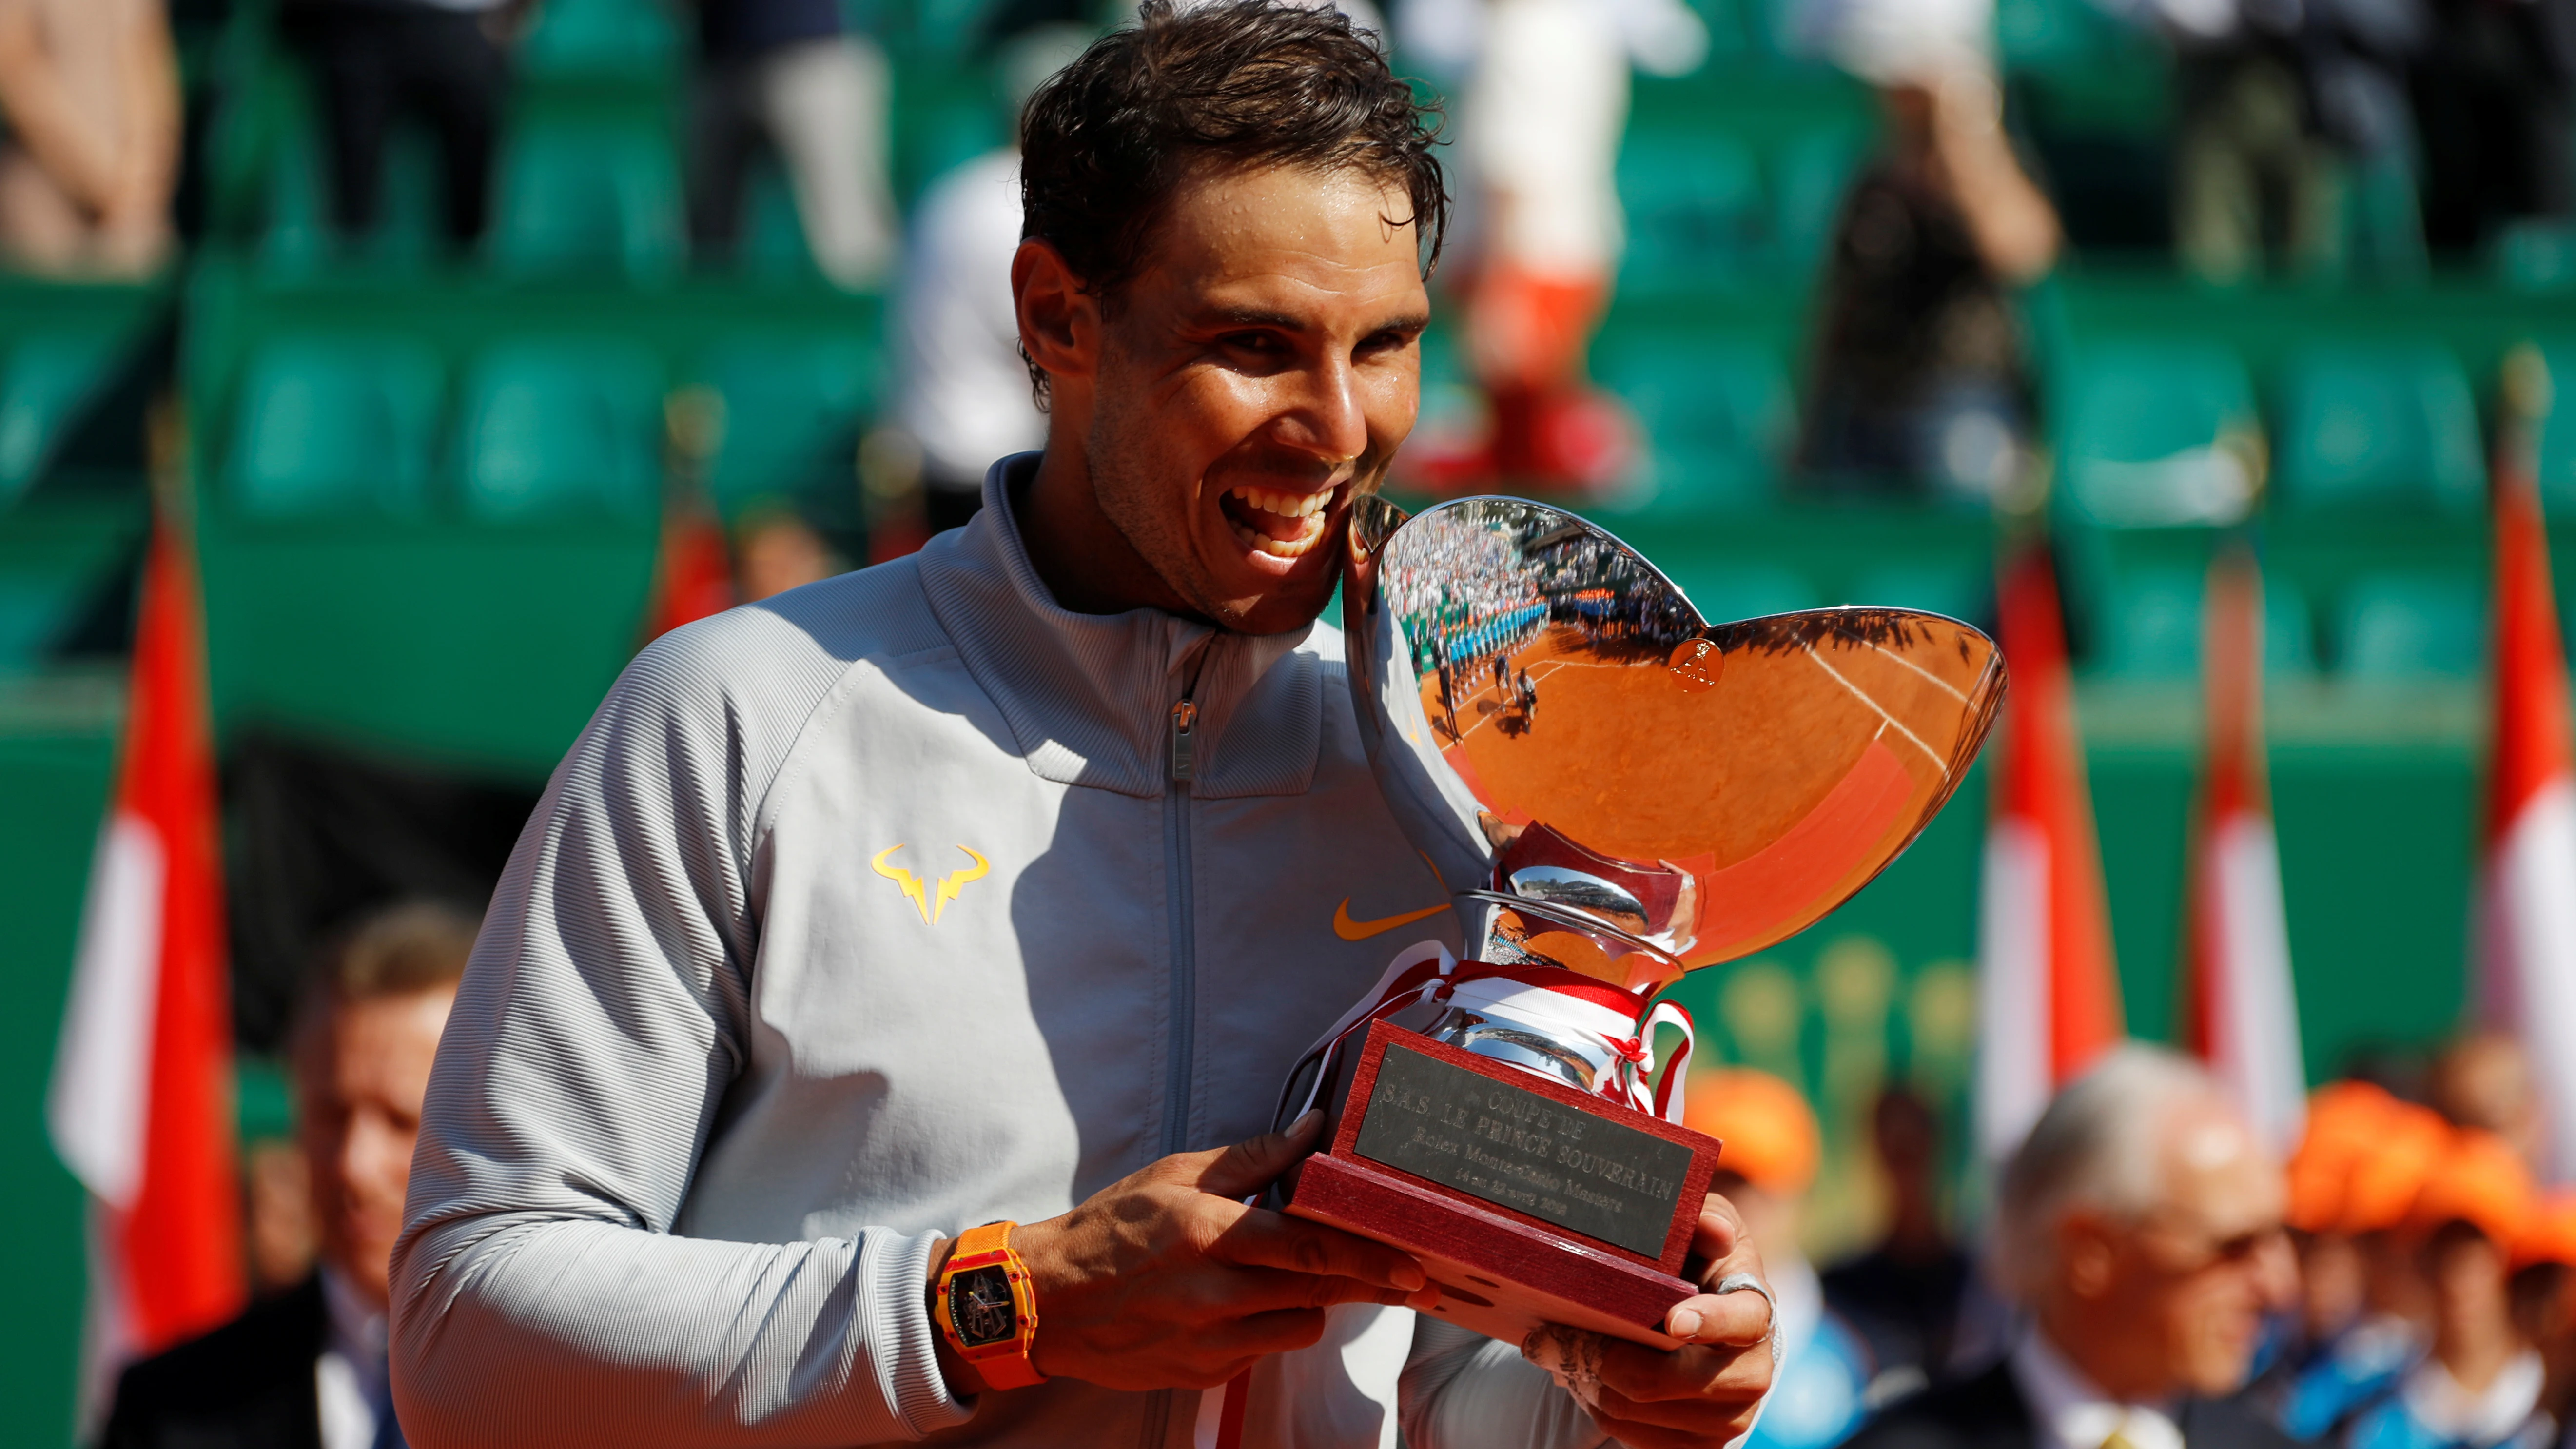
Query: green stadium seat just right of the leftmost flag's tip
column 334, row 427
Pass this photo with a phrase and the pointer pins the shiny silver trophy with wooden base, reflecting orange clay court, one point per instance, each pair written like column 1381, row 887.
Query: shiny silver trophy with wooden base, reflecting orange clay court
column 1616, row 793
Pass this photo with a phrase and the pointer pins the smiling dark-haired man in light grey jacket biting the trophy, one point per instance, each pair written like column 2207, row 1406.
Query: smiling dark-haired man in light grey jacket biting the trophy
column 993, row 893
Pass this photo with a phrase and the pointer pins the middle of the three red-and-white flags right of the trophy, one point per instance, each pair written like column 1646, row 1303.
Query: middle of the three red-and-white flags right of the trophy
column 2240, row 1002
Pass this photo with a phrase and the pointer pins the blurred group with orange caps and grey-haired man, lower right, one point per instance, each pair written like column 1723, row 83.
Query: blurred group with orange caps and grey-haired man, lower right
column 2155, row 1275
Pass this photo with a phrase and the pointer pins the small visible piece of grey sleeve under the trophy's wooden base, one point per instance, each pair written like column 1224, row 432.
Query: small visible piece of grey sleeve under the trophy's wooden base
column 1464, row 1391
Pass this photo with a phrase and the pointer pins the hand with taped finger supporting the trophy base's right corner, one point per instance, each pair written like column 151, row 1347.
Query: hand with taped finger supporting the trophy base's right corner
column 1701, row 1394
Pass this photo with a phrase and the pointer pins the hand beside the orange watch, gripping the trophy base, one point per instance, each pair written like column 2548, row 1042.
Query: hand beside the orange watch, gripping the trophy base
column 1168, row 1280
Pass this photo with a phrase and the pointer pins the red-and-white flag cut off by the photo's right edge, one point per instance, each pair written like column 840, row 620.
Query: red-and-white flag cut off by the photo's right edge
column 2528, row 873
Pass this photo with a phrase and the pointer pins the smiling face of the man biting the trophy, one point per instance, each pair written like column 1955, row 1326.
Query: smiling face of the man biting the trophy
column 1251, row 380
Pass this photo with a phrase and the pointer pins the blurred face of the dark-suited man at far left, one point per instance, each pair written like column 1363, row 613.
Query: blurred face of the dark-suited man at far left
column 359, row 1082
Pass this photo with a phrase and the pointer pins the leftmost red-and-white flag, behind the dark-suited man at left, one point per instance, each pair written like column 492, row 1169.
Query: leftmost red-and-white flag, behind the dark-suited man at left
column 140, row 1105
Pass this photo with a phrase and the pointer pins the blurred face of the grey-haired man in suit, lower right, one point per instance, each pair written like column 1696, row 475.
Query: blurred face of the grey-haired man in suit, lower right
column 2201, row 1272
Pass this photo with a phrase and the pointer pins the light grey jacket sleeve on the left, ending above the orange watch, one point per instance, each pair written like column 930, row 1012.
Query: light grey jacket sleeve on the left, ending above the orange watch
column 540, row 1293
